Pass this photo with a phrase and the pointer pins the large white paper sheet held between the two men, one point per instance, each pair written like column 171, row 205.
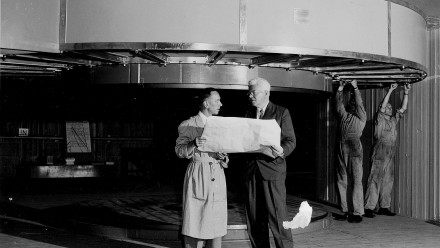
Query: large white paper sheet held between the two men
column 236, row 135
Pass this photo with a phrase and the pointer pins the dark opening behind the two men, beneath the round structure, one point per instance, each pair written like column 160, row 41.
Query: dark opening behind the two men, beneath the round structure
column 136, row 126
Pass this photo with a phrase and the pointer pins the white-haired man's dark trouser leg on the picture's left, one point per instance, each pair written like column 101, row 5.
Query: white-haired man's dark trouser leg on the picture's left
column 256, row 213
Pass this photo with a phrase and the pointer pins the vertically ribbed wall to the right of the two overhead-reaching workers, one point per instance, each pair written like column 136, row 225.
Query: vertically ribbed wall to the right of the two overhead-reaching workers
column 417, row 179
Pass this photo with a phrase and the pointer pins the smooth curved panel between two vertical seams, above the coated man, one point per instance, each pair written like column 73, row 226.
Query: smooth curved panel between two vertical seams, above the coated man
column 153, row 21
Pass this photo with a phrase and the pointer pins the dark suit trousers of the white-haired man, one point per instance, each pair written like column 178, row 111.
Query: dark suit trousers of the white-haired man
column 266, row 207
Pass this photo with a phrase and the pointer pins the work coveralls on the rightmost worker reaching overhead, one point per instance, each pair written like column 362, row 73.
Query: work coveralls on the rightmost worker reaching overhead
column 381, row 179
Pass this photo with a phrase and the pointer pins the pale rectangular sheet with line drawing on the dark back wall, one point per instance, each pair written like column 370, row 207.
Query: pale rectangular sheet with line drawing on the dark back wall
column 78, row 137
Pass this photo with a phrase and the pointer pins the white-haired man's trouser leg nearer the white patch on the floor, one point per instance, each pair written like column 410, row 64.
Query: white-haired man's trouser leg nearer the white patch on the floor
column 275, row 195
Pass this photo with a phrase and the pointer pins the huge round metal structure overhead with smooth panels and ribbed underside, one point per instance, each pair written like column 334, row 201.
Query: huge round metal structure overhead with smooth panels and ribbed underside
column 375, row 42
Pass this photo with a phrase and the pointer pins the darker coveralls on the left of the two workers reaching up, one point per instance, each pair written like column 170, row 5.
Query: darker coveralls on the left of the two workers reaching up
column 350, row 152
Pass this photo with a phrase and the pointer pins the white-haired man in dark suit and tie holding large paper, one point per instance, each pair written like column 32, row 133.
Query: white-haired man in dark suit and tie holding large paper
column 265, row 176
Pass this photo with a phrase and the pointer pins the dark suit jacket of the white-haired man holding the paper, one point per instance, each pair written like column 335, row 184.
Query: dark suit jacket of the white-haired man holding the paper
column 272, row 168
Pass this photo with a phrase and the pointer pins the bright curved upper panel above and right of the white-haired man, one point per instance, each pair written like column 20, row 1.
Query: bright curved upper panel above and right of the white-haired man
column 347, row 25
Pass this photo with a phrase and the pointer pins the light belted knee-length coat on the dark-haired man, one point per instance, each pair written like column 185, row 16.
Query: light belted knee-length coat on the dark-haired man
column 204, row 209
